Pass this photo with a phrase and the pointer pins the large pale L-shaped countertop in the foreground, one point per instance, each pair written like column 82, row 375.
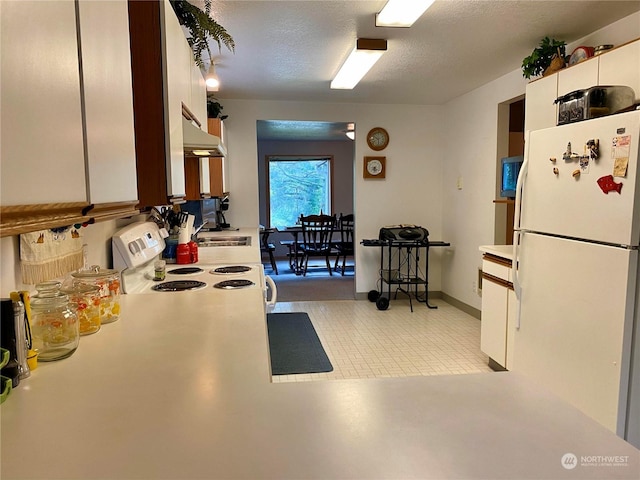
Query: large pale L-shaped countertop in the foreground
column 180, row 387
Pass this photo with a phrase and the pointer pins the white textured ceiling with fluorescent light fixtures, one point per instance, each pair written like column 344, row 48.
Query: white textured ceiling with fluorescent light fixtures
column 291, row 49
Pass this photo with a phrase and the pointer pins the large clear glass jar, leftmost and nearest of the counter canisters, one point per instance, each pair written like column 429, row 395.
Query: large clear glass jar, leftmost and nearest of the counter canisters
column 55, row 332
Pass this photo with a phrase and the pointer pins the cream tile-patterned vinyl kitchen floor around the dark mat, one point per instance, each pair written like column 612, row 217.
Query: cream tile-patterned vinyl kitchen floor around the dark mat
column 364, row 342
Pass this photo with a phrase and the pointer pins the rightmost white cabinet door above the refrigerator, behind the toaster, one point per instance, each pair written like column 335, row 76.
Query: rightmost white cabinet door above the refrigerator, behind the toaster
column 622, row 67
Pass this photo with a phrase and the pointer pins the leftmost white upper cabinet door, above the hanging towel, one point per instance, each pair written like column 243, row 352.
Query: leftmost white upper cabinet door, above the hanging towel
column 42, row 144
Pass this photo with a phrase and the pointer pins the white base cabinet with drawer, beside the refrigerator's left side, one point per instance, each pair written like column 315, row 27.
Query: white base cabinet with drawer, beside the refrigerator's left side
column 498, row 311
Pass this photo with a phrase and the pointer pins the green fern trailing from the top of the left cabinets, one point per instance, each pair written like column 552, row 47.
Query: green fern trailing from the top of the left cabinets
column 201, row 28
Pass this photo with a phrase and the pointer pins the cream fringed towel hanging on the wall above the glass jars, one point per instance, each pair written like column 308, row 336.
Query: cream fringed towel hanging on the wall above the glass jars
column 50, row 254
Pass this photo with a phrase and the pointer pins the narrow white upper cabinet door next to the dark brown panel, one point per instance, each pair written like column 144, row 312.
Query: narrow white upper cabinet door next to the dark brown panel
column 108, row 100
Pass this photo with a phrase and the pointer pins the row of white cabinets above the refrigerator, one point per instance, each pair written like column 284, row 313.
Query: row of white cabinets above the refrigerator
column 619, row 66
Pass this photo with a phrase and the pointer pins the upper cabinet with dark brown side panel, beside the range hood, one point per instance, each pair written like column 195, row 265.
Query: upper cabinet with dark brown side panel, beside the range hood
column 162, row 61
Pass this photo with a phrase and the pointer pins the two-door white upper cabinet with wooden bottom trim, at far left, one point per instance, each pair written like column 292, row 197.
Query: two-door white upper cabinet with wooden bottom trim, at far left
column 67, row 126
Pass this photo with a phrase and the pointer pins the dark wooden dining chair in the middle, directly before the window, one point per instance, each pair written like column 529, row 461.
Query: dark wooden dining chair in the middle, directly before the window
column 317, row 231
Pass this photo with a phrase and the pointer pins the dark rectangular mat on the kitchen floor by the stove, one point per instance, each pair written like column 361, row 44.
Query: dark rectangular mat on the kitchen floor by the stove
column 294, row 345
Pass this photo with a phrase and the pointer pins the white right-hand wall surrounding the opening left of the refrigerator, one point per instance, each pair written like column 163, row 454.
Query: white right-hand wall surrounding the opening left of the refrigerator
column 469, row 213
